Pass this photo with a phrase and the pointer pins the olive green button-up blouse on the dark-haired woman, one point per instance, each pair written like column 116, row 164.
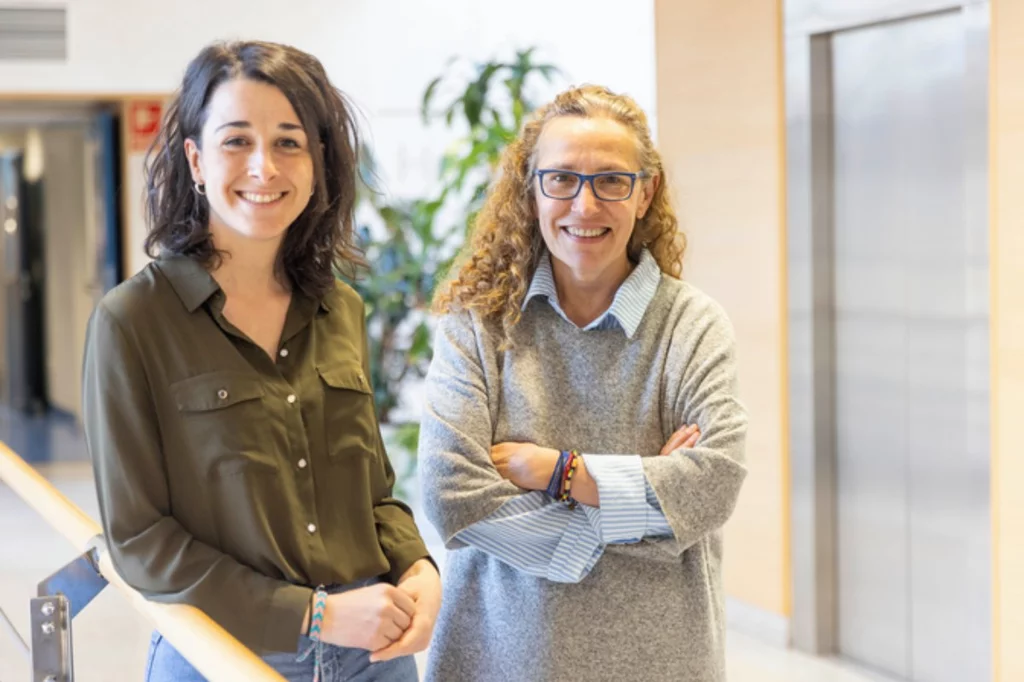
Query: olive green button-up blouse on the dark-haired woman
column 230, row 481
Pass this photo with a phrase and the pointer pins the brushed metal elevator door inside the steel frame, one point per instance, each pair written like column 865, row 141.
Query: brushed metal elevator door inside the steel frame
column 912, row 365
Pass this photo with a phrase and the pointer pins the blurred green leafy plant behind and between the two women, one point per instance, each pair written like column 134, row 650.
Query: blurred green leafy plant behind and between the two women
column 410, row 249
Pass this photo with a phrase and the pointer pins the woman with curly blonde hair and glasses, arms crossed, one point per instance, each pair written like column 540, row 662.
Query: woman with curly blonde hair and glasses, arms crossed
column 567, row 330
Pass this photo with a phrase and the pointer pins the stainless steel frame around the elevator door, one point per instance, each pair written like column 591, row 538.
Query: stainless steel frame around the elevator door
column 810, row 210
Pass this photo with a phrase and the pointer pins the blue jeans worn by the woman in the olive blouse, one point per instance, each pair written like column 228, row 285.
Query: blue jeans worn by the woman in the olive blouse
column 340, row 664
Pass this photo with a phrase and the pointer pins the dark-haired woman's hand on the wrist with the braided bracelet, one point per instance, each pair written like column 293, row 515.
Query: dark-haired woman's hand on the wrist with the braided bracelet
column 369, row 618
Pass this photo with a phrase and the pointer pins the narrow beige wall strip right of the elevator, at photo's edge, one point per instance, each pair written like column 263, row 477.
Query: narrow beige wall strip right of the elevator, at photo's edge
column 1008, row 333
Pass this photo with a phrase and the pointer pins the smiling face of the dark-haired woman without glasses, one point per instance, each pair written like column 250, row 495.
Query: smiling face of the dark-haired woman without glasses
column 254, row 161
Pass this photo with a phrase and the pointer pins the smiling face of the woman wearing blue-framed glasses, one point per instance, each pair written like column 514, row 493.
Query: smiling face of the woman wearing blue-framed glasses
column 588, row 237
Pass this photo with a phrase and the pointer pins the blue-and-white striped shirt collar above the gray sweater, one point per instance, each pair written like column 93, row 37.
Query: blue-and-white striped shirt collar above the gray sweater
column 629, row 306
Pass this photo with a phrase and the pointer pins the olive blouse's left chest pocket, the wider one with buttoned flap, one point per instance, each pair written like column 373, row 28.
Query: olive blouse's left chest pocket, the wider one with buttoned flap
column 225, row 422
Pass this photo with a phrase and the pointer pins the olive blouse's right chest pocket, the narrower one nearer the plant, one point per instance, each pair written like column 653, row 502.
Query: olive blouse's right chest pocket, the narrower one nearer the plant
column 350, row 417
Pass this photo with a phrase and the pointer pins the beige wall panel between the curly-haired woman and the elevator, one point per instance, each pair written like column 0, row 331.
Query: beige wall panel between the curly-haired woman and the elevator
column 720, row 129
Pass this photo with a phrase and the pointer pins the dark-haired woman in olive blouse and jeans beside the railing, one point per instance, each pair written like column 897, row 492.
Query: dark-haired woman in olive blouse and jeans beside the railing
column 228, row 409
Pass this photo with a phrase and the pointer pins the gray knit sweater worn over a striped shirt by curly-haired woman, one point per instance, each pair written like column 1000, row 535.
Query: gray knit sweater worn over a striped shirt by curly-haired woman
column 652, row 611
